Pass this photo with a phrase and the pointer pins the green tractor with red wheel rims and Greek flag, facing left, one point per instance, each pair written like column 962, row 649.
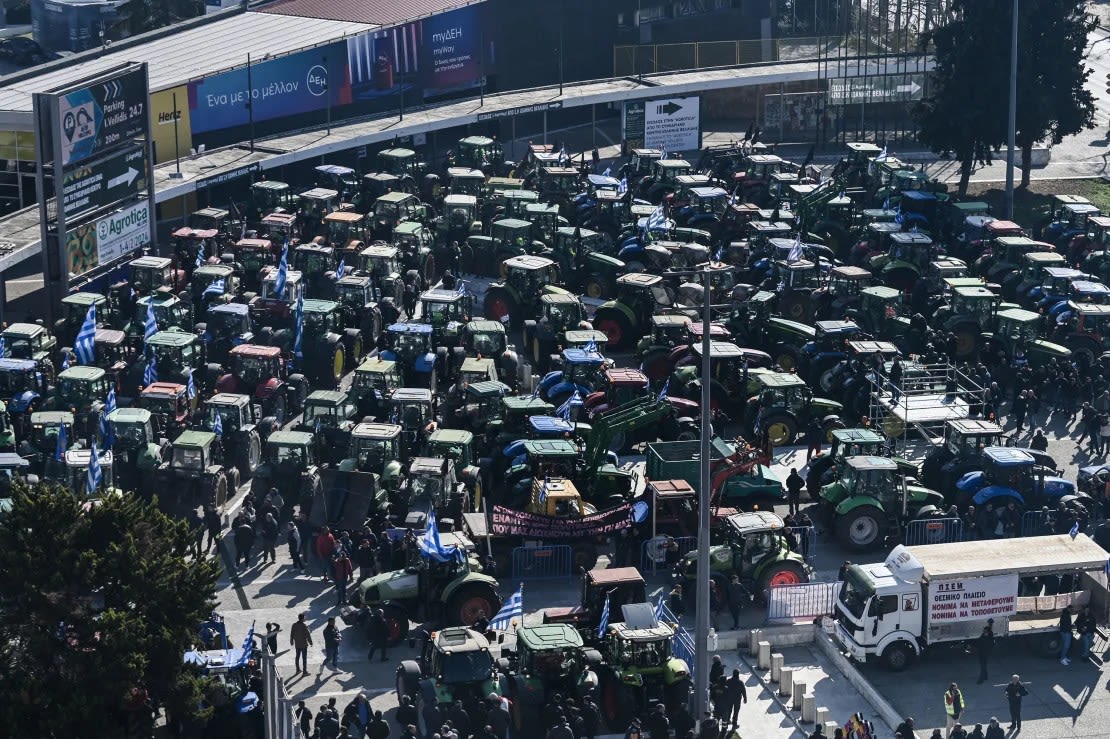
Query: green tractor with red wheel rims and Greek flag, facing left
column 455, row 592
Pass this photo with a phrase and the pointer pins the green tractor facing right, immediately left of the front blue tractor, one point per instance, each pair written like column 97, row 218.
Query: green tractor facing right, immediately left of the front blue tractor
column 871, row 502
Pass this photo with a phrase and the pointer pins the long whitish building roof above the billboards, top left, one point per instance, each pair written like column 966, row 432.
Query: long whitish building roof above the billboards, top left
column 175, row 58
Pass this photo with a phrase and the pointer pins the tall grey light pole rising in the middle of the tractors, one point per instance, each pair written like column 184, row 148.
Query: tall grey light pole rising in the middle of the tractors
column 702, row 588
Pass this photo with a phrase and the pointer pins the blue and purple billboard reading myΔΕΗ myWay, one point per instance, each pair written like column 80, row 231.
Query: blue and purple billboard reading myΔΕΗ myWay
column 439, row 55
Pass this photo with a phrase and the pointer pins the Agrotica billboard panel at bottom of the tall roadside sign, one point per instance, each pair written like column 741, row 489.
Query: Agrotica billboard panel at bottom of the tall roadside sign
column 107, row 239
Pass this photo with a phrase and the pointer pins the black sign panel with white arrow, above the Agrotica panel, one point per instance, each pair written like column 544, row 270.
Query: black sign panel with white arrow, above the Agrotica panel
column 106, row 181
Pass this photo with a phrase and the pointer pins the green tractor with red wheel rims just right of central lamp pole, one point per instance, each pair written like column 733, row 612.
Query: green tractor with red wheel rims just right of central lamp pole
column 755, row 548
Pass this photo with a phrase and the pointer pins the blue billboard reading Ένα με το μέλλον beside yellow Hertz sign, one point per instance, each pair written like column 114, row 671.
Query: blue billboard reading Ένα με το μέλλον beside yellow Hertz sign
column 302, row 83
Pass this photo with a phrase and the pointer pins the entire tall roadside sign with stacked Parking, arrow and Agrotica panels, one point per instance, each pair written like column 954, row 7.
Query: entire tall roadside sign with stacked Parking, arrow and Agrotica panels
column 95, row 177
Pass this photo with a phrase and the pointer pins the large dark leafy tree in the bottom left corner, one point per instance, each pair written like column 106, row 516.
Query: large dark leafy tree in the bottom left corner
column 98, row 605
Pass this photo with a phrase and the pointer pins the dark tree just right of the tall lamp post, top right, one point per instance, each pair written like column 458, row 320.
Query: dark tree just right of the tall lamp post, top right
column 1053, row 99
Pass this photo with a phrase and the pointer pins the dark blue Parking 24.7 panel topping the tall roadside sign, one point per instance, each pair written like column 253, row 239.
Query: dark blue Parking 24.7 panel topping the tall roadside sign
column 103, row 115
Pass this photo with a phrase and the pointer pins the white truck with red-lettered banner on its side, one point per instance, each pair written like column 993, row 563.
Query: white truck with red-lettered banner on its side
column 943, row 593
